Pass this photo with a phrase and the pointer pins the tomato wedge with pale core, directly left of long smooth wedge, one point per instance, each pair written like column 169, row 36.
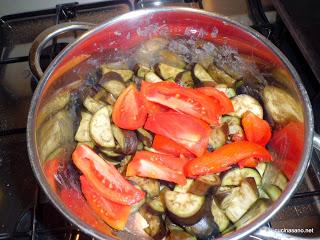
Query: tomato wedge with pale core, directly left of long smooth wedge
column 158, row 166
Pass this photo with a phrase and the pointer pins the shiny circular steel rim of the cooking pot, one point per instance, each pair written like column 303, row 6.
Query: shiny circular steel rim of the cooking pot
column 259, row 222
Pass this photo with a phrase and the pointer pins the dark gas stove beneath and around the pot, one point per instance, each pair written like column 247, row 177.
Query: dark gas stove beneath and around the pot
column 25, row 211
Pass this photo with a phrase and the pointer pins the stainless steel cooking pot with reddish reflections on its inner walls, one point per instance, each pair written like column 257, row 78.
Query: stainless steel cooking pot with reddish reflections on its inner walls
column 50, row 127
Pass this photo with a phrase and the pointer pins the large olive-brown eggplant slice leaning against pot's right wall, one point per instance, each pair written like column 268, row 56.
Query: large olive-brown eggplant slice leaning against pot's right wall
column 281, row 106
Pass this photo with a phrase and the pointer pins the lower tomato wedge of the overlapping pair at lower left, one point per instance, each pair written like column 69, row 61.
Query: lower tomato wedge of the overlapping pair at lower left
column 114, row 214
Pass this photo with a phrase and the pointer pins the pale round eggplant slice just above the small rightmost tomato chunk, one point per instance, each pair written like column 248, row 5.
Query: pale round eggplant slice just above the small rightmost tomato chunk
column 243, row 103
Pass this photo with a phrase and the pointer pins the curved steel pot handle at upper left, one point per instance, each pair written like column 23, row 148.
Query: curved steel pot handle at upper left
column 44, row 37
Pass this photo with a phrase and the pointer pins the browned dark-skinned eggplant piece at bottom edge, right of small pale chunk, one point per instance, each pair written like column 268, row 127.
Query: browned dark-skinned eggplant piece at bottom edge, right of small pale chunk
column 156, row 229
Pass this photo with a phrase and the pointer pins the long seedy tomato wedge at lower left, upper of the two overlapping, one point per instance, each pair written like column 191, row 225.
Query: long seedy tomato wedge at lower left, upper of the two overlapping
column 105, row 178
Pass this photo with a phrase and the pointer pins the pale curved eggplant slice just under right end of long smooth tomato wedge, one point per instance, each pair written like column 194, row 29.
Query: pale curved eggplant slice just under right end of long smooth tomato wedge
column 235, row 176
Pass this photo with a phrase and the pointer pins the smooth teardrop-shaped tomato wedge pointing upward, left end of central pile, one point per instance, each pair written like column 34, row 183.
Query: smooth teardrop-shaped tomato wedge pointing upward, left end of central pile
column 129, row 111
